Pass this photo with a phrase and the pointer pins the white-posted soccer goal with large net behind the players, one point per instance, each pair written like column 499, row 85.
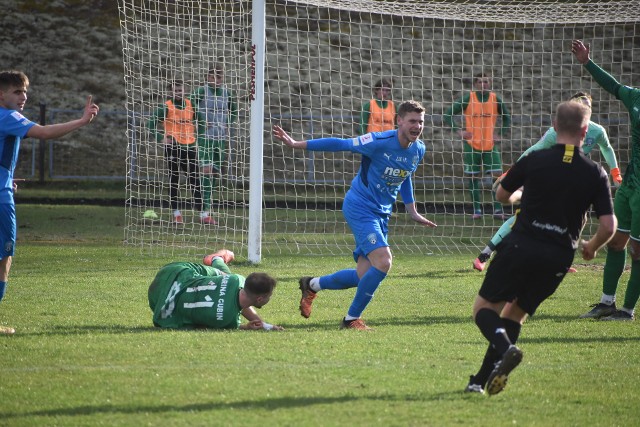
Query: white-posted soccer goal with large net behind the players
column 310, row 66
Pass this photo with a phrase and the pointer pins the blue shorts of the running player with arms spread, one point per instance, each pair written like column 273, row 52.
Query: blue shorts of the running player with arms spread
column 369, row 230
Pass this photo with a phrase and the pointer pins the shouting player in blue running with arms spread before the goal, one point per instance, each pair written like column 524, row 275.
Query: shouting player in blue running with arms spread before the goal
column 388, row 161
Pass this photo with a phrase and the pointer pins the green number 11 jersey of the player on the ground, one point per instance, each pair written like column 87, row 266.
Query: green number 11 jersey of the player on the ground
column 185, row 295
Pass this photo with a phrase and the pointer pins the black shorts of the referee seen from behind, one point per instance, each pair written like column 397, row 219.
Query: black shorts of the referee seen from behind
column 525, row 269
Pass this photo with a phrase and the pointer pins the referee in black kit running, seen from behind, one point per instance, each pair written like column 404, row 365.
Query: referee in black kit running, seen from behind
column 555, row 187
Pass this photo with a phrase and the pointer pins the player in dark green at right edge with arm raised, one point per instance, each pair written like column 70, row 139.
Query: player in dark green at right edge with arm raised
column 626, row 204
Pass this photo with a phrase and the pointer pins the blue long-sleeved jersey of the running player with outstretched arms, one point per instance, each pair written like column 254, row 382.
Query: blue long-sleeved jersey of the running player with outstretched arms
column 386, row 167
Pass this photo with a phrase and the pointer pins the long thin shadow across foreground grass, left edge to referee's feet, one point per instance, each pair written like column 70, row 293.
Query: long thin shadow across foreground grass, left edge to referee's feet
column 269, row 404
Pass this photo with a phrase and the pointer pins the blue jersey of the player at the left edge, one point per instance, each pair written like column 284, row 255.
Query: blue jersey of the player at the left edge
column 13, row 127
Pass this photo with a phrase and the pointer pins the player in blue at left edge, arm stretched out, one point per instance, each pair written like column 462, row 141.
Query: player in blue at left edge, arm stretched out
column 13, row 127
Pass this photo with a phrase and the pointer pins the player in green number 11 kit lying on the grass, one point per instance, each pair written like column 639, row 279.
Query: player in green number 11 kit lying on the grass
column 186, row 295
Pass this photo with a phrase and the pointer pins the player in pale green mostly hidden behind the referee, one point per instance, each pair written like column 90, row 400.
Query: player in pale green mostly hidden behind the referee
column 596, row 137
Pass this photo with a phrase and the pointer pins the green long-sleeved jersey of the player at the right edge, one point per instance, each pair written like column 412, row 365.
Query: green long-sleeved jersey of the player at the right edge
column 630, row 97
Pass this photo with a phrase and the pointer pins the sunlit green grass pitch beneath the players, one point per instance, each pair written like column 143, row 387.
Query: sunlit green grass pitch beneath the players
column 86, row 354
